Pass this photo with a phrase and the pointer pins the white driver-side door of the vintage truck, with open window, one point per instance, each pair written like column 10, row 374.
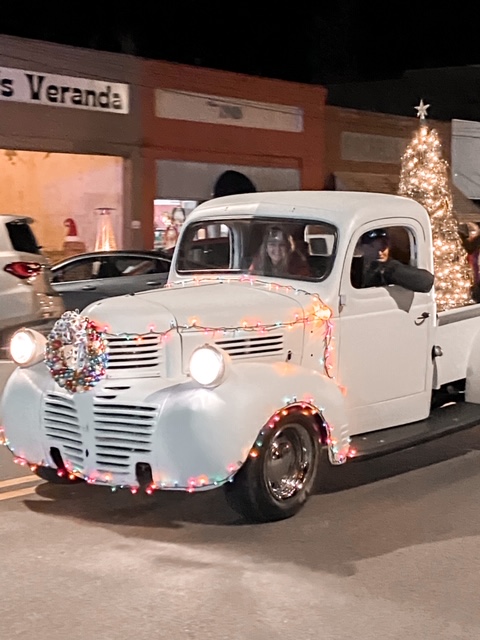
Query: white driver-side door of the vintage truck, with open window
column 385, row 336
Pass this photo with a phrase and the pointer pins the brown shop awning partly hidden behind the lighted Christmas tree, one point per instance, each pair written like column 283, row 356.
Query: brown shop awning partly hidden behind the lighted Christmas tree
column 465, row 210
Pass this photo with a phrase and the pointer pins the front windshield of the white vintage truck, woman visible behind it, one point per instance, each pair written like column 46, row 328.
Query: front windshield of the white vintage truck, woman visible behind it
column 297, row 249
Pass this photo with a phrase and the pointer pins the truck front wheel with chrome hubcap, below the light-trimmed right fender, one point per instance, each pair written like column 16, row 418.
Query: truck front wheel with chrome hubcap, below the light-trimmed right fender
column 275, row 483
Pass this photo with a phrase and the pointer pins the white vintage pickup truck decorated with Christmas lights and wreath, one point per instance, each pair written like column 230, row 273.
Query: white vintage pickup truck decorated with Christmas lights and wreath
column 231, row 376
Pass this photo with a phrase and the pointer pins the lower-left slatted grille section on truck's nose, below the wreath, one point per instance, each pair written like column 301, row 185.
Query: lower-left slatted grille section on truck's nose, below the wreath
column 62, row 427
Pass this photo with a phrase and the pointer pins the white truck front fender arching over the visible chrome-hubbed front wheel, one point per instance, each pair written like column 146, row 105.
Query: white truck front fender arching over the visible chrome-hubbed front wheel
column 211, row 432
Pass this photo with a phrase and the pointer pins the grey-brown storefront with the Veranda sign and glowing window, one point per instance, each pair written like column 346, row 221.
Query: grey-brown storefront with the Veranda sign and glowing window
column 69, row 128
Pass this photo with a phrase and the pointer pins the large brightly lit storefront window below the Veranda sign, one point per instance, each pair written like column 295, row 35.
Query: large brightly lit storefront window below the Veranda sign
column 76, row 201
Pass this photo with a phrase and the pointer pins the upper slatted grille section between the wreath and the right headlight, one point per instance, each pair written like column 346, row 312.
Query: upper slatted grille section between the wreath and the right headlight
column 141, row 353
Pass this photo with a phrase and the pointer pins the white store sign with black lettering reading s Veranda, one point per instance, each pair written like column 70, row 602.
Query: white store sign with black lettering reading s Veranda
column 52, row 90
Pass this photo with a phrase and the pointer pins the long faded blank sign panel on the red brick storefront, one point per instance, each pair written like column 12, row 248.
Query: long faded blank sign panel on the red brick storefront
column 197, row 107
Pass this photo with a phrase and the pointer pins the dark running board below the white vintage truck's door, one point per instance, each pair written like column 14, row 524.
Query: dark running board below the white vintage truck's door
column 445, row 420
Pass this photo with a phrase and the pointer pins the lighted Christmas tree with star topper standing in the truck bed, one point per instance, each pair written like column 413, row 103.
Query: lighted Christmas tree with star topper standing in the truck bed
column 424, row 177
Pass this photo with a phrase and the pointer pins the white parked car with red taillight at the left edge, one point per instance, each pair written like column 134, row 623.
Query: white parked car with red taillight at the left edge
column 27, row 298
